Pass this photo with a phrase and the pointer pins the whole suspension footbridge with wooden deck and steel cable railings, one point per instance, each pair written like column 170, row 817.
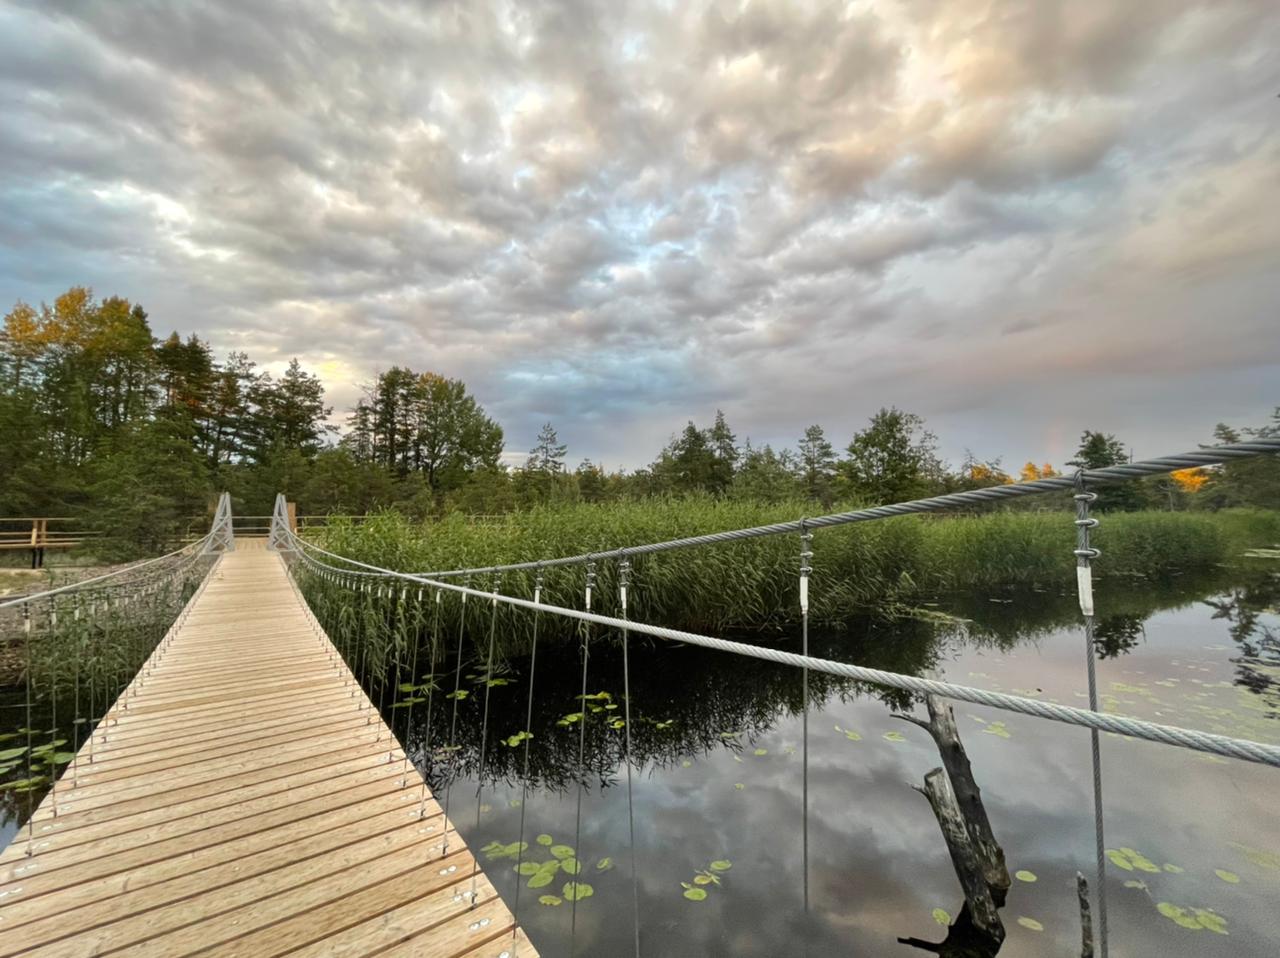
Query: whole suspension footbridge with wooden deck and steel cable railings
column 240, row 793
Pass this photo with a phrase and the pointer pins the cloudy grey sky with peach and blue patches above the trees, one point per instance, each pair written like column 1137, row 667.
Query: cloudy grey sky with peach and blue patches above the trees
column 1018, row 220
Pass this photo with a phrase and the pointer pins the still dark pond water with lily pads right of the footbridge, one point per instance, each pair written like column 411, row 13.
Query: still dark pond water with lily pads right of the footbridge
column 721, row 783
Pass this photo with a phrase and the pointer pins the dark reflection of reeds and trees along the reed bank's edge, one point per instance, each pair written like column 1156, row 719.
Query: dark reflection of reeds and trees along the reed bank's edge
column 689, row 701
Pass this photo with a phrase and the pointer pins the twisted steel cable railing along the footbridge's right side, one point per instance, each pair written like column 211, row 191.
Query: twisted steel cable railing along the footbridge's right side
column 362, row 577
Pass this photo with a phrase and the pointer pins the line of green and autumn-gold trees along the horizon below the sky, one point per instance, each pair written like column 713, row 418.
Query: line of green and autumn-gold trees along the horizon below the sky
column 103, row 421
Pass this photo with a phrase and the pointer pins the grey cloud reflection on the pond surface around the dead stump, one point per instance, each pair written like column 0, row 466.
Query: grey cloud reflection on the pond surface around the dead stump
column 877, row 861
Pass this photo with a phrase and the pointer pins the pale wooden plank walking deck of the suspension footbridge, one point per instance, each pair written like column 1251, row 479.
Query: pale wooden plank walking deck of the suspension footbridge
column 249, row 801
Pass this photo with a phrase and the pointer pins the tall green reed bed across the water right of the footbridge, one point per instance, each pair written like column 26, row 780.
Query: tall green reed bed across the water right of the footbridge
column 886, row 567
